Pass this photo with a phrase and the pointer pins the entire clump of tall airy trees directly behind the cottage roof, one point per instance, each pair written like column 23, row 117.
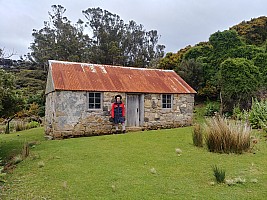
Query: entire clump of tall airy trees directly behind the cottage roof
column 113, row 42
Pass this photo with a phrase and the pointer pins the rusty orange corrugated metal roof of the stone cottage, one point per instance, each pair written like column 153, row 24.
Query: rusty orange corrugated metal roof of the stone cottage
column 94, row 77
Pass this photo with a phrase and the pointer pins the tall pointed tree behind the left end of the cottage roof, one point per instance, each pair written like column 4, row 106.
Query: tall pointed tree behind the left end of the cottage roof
column 59, row 40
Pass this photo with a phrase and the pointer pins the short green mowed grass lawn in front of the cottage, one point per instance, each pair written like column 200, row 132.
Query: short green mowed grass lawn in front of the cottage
column 138, row 165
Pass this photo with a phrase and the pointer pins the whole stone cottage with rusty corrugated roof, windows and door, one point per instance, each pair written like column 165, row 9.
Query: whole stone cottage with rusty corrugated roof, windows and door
column 79, row 98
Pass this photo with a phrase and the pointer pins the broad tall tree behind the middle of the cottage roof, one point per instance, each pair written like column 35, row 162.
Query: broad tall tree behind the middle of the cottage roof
column 117, row 43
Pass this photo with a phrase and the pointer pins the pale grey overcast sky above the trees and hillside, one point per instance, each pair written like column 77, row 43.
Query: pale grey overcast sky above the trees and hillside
column 179, row 22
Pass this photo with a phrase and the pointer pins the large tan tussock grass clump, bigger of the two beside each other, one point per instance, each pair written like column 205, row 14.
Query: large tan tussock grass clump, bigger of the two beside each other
column 225, row 136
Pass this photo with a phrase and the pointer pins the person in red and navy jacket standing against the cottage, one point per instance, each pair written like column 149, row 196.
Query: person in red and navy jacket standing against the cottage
column 118, row 113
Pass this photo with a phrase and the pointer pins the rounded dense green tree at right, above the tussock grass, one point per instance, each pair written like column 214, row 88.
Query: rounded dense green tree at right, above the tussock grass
column 239, row 81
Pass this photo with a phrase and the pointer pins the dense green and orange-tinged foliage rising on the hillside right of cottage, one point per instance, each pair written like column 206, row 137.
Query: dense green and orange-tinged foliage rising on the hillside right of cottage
column 230, row 67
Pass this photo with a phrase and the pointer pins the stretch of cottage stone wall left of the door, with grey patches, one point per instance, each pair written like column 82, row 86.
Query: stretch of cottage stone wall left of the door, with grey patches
column 67, row 115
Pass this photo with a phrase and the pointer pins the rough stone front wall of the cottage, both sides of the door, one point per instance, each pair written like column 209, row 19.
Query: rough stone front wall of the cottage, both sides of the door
column 67, row 113
